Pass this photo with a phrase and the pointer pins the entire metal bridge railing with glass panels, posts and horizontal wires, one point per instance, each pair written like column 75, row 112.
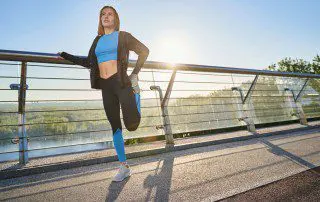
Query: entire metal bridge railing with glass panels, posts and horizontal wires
column 51, row 107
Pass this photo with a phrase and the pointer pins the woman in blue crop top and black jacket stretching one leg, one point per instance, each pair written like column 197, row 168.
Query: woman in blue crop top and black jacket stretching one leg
column 108, row 62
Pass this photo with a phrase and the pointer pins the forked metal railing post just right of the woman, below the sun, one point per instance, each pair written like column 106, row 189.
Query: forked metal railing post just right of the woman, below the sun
column 164, row 109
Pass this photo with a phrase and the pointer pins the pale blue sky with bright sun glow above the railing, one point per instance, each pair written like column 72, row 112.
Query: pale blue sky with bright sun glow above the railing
column 233, row 33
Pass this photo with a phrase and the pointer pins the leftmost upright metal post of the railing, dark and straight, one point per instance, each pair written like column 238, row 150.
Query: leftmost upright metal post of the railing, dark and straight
column 23, row 142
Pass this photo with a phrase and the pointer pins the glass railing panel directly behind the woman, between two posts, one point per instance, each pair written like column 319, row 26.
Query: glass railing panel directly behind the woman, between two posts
column 63, row 110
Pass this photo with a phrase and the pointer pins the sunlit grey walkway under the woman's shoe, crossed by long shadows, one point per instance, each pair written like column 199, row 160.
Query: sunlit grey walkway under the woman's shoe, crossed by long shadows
column 199, row 174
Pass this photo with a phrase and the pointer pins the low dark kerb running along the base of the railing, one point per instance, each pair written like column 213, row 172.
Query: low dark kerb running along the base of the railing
column 20, row 172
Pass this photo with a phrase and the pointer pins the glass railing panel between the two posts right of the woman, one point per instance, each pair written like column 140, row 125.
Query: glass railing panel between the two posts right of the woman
column 202, row 101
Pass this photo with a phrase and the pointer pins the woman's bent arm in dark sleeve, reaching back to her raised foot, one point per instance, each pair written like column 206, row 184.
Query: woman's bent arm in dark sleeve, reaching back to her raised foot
column 140, row 49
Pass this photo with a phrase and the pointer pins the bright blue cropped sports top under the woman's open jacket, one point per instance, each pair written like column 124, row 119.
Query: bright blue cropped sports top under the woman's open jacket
column 107, row 47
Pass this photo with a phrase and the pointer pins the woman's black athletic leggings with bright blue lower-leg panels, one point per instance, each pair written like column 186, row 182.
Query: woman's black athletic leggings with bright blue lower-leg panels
column 113, row 97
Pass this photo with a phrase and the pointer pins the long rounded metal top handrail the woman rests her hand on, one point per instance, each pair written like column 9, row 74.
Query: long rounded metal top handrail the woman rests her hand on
column 26, row 56
